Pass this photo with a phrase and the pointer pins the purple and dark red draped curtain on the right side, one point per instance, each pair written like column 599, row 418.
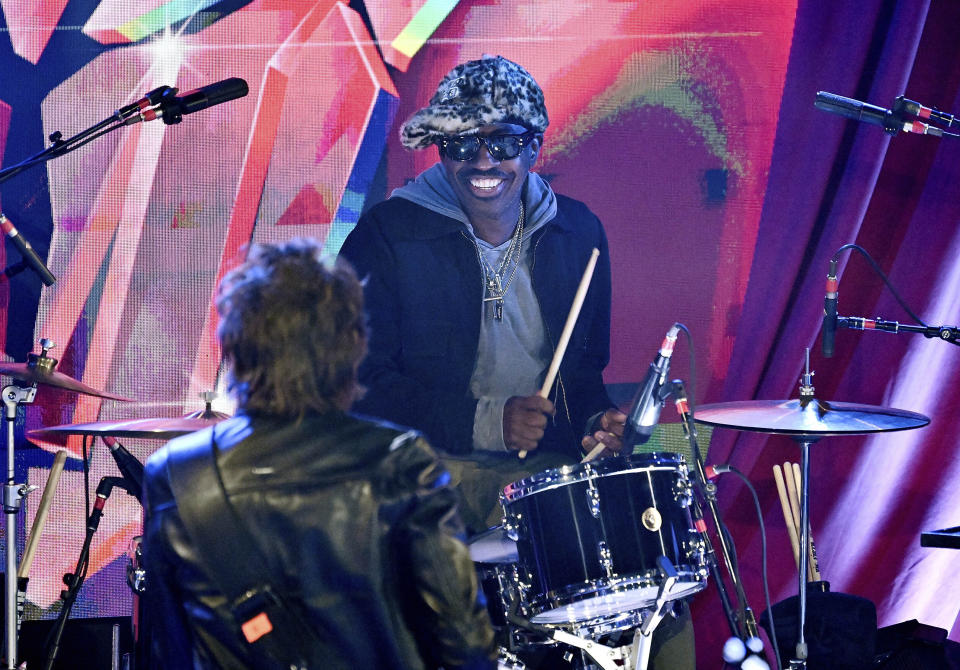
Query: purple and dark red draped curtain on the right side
column 834, row 182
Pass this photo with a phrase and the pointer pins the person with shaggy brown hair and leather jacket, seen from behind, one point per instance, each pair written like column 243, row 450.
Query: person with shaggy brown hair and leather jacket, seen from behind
column 296, row 534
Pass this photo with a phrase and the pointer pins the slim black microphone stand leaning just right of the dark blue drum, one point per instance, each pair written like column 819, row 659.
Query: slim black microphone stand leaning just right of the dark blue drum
column 748, row 627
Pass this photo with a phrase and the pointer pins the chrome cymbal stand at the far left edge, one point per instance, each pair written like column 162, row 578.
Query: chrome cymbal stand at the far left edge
column 13, row 396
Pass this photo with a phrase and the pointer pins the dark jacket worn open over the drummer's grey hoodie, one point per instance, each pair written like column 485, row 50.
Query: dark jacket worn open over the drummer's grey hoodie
column 423, row 294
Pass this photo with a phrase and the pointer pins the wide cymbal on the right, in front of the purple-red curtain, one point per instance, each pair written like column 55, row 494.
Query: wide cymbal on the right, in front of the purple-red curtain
column 809, row 417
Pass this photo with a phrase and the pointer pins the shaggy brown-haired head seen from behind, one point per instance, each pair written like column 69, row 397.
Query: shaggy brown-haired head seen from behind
column 292, row 329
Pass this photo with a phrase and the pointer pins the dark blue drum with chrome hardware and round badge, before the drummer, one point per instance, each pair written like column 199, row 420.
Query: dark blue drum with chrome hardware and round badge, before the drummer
column 588, row 537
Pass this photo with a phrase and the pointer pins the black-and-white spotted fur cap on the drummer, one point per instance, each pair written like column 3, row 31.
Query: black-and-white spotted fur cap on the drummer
column 477, row 93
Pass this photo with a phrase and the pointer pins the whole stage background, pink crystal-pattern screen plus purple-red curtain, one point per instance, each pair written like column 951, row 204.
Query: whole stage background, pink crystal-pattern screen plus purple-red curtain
column 687, row 125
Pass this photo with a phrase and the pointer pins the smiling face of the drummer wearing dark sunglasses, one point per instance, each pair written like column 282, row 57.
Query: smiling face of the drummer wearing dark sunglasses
column 488, row 189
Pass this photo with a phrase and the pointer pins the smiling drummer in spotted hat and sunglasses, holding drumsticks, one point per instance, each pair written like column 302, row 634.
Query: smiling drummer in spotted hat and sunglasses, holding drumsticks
column 471, row 270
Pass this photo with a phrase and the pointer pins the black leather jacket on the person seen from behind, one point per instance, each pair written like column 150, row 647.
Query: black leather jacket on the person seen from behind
column 358, row 519
